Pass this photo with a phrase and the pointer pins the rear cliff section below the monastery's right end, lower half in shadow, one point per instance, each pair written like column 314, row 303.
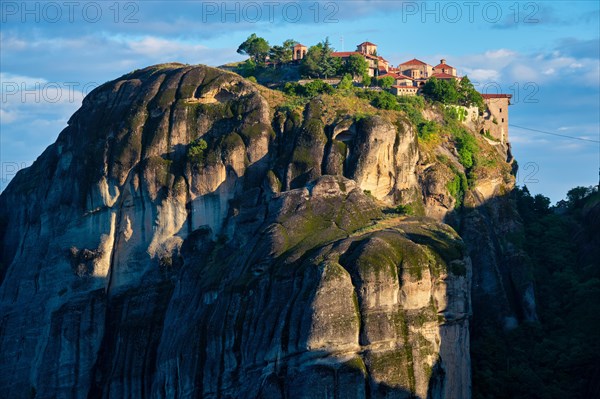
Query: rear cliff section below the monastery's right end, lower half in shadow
column 487, row 220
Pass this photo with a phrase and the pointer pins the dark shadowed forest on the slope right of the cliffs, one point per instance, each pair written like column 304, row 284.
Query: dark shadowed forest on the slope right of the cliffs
column 556, row 357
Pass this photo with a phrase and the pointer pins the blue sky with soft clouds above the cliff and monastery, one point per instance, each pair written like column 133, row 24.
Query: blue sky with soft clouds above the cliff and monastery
column 546, row 54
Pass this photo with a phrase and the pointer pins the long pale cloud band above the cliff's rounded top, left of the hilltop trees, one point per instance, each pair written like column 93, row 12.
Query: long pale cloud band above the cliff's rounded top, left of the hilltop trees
column 91, row 52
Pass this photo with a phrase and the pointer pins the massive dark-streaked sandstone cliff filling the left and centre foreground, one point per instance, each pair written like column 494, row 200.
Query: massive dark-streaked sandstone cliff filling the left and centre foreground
column 261, row 269
